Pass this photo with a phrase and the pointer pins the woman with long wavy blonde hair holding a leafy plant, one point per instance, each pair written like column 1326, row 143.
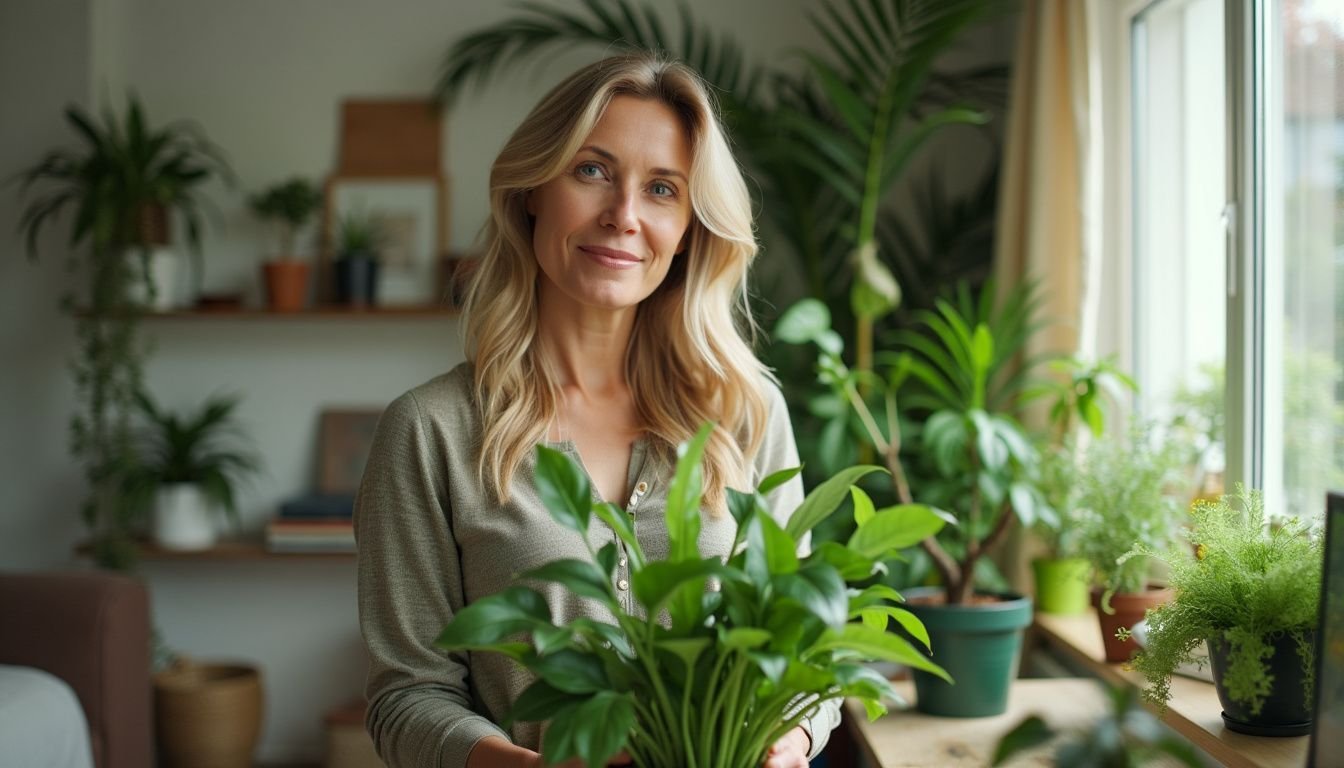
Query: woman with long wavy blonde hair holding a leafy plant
column 604, row 319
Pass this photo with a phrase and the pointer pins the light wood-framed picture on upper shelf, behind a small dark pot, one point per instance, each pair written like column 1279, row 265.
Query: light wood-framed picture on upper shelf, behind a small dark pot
column 411, row 215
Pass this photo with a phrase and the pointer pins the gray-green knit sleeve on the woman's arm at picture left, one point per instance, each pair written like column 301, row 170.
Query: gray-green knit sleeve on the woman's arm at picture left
column 423, row 711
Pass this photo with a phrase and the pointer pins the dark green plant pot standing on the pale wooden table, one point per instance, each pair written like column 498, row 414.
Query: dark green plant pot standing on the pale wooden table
column 979, row 645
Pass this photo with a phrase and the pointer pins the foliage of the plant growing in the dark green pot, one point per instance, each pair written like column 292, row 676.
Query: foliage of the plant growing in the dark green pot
column 982, row 463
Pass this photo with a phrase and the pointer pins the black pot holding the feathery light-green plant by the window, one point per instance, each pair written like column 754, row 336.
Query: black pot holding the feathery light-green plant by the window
column 1286, row 711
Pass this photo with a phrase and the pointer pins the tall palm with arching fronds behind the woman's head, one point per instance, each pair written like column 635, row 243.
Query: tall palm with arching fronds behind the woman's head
column 827, row 146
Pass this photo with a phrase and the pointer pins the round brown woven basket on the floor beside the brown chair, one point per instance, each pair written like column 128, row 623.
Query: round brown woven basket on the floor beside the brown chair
column 208, row 716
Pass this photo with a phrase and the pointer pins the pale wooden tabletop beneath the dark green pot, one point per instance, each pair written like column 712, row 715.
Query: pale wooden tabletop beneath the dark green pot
column 907, row 739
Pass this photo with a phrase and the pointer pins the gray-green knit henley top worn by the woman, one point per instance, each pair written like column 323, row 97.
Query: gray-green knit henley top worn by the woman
column 432, row 540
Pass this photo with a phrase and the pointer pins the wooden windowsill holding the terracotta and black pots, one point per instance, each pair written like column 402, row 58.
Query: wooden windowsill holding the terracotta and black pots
column 1194, row 711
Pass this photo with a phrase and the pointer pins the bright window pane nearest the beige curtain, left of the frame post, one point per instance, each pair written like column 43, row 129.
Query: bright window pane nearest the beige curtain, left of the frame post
column 1179, row 132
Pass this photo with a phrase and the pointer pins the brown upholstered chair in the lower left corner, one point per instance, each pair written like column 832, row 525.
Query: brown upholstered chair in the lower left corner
column 92, row 630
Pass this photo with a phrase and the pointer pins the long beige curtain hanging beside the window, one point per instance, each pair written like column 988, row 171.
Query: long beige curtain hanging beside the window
column 1049, row 194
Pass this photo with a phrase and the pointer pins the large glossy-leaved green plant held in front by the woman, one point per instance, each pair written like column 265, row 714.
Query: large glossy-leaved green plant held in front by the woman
column 733, row 669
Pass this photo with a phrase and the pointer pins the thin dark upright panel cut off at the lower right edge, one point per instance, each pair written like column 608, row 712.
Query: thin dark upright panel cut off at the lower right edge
column 1327, row 748
